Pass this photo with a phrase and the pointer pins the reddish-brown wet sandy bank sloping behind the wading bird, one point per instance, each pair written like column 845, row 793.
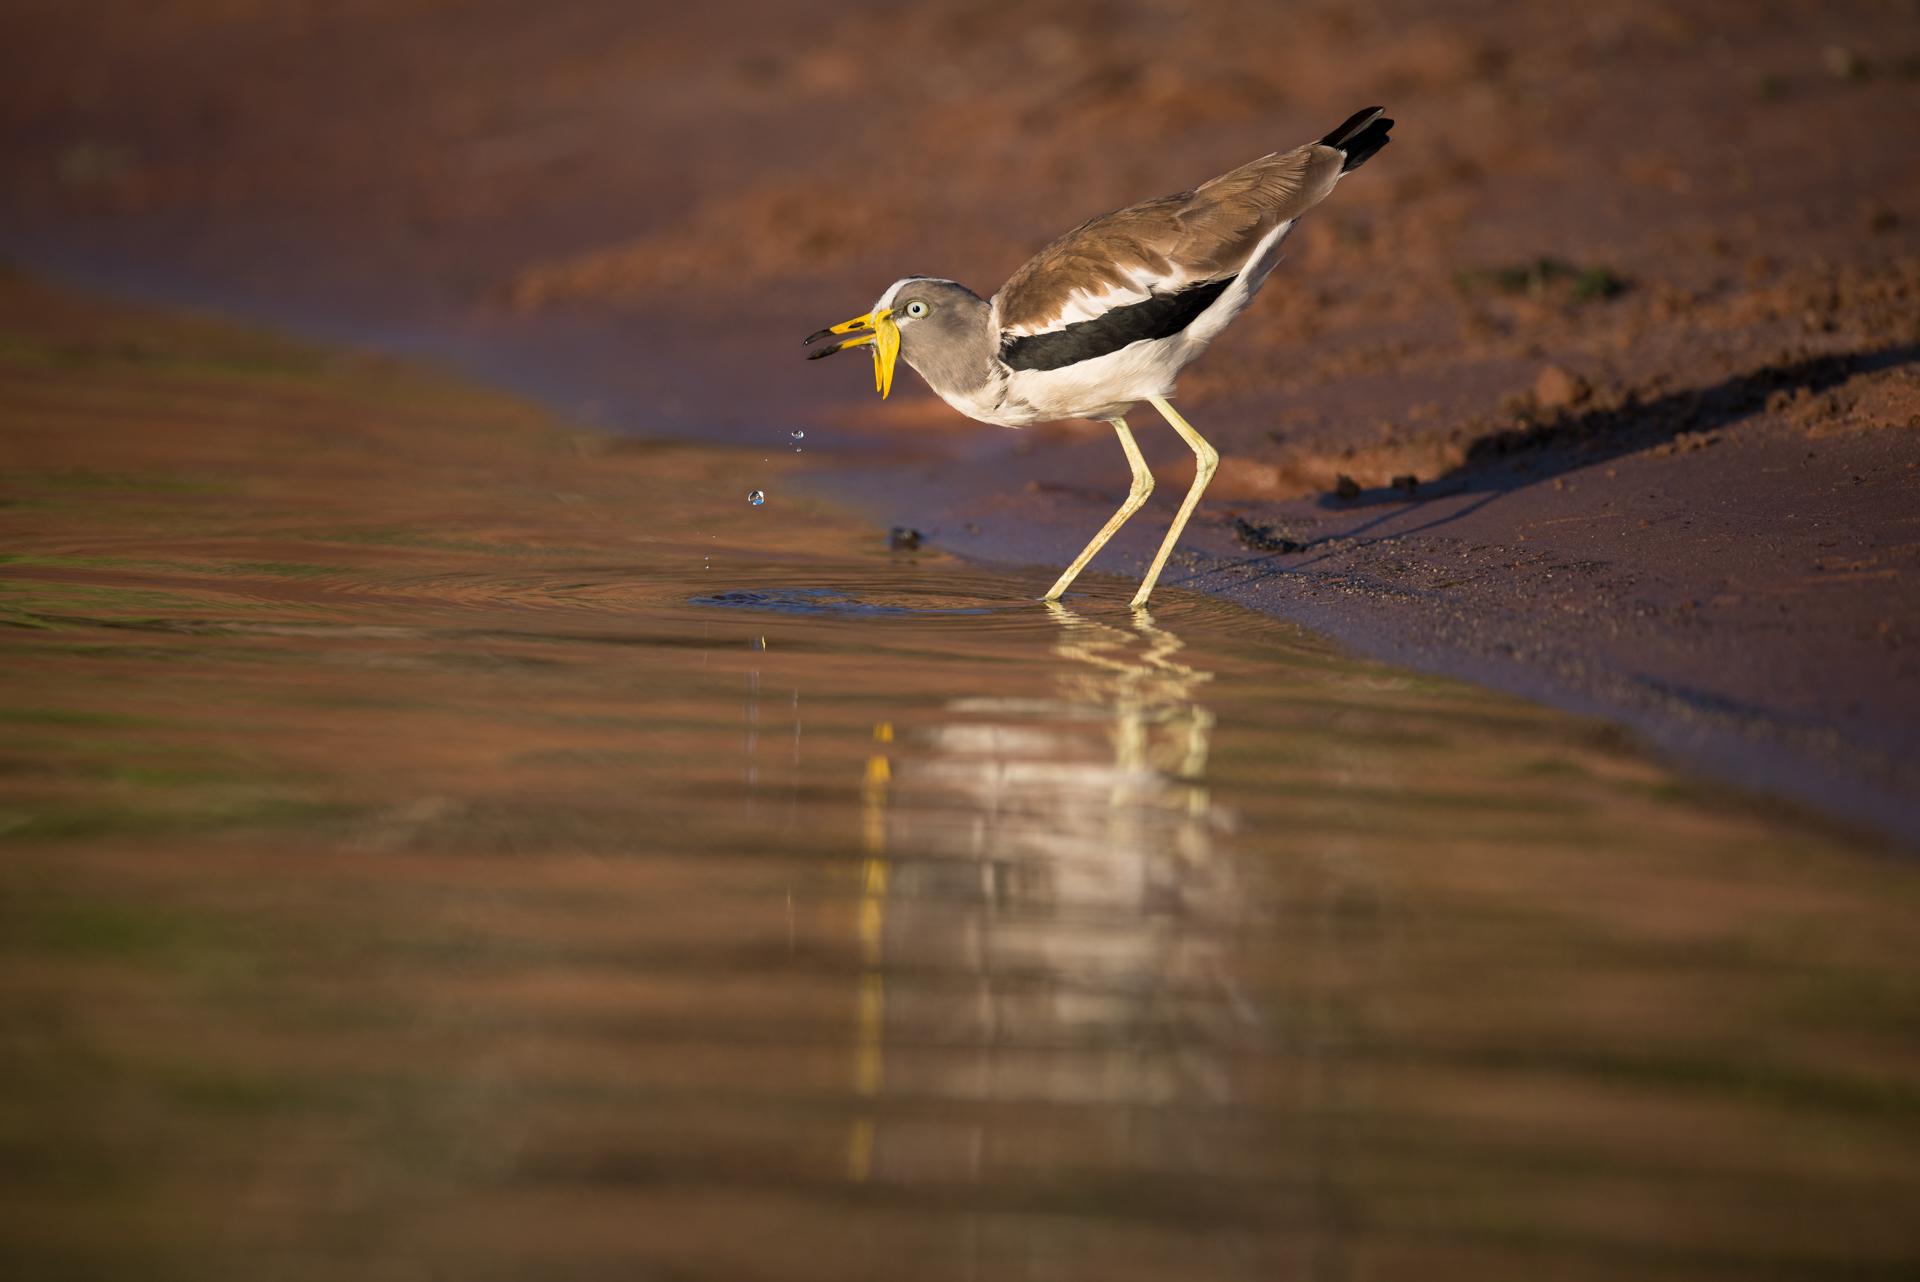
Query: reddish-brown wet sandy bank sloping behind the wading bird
column 1633, row 298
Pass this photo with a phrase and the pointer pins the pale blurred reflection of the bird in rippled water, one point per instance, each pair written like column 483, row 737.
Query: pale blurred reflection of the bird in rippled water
column 1045, row 920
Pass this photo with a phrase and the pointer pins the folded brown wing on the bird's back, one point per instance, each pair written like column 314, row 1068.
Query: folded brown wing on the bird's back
column 1201, row 235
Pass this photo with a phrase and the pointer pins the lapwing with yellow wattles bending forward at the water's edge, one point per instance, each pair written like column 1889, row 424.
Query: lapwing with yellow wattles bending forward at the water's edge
column 1111, row 314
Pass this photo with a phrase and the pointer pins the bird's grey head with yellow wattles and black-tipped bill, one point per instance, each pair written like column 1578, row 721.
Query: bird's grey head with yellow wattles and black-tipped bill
column 940, row 327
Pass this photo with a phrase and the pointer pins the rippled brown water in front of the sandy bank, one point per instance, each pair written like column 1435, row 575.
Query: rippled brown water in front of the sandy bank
column 439, row 847
